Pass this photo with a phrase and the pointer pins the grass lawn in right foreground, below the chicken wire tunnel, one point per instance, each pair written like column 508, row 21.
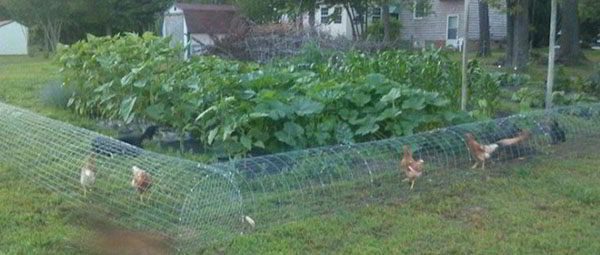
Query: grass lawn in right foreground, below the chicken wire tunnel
column 540, row 207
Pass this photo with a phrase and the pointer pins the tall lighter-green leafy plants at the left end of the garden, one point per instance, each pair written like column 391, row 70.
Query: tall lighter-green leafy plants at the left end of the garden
column 116, row 76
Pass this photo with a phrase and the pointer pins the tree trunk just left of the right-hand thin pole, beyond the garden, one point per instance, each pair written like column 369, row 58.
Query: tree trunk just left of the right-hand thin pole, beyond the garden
column 521, row 35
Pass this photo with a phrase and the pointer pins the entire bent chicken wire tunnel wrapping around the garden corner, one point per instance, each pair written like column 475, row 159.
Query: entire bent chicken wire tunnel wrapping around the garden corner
column 199, row 204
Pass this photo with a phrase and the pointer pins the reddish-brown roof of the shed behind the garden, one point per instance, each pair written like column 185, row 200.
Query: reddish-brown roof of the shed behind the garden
column 209, row 18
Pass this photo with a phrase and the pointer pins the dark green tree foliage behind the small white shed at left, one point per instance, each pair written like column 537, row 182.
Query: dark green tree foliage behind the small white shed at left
column 70, row 20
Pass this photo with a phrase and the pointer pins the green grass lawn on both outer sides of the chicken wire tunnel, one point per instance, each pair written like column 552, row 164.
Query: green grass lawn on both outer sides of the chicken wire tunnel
column 548, row 204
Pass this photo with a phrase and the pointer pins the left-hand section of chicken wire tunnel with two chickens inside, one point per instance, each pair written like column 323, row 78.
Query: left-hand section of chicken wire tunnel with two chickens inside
column 189, row 202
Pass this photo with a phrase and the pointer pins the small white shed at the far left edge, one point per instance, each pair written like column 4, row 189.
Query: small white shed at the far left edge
column 13, row 38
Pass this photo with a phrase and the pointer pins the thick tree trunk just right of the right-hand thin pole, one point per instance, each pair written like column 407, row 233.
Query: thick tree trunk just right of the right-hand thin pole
column 570, row 50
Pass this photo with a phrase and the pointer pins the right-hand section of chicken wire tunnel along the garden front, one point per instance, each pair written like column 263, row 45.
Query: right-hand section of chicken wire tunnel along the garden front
column 291, row 186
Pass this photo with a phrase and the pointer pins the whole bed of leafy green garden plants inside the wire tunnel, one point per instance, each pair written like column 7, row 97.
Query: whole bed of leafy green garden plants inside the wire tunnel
column 318, row 98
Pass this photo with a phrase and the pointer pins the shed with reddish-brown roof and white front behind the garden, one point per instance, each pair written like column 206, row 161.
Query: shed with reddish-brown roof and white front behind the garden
column 196, row 26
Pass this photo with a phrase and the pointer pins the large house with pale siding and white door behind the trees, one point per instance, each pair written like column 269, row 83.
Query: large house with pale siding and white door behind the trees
column 437, row 22
